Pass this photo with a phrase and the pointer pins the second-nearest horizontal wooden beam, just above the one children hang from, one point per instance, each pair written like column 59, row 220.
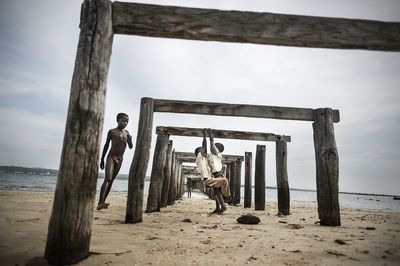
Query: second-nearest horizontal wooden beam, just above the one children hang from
column 242, row 110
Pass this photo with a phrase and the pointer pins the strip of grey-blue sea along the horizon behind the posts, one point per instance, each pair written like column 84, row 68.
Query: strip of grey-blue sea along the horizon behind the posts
column 47, row 183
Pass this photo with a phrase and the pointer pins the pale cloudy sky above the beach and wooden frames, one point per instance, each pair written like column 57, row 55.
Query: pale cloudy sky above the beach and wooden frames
column 37, row 53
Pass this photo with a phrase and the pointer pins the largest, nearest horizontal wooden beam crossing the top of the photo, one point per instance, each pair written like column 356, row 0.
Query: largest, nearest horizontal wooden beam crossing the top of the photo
column 254, row 27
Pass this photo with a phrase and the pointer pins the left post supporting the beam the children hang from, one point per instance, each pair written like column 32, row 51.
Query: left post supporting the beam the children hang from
column 156, row 178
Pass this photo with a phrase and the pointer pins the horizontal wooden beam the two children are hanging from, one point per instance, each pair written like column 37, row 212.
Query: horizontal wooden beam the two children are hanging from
column 222, row 134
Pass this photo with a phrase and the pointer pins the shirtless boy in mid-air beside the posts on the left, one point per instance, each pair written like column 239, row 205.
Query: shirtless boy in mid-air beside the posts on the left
column 118, row 137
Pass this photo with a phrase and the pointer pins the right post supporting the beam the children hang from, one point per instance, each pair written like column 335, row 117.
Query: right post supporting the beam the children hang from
column 282, row 178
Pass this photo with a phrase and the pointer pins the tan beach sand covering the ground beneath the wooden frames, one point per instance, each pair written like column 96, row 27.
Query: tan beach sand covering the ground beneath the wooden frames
column 163, row 238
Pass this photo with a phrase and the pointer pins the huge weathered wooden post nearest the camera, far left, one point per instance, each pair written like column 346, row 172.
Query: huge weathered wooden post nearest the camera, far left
column 70, row 223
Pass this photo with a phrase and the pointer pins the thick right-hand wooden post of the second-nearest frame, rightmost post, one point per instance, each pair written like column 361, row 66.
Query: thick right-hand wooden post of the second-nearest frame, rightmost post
column 327, row 163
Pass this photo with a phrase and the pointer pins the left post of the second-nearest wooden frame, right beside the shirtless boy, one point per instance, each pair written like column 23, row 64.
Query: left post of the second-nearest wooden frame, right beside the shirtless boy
column 137, row 171
